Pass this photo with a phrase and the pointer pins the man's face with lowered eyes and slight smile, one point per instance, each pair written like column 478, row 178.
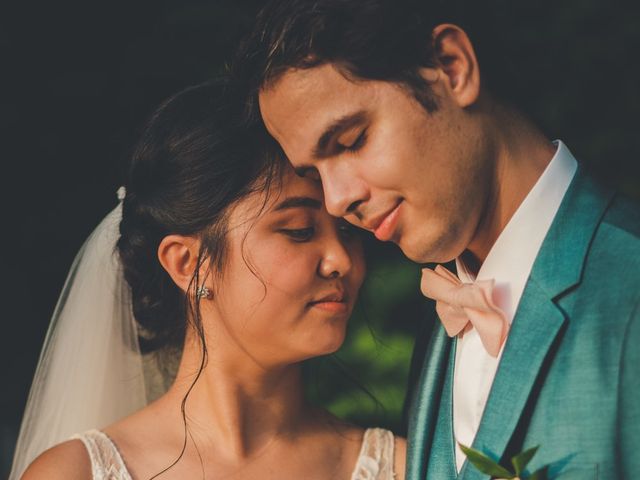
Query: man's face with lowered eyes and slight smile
column 418, row 179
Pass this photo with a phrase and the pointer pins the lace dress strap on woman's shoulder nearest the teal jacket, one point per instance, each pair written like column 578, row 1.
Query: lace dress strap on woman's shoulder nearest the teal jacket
column 376, row 458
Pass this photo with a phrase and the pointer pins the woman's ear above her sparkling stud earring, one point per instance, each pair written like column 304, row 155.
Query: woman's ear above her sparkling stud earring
column 178, row 255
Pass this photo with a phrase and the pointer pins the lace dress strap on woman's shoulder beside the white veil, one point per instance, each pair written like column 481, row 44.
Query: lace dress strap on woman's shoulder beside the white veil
column 106, row 461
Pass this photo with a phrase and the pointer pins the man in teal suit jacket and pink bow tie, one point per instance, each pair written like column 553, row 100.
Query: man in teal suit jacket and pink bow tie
column 385, row 103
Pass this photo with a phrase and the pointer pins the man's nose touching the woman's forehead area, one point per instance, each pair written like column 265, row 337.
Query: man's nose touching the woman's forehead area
column 343, row 193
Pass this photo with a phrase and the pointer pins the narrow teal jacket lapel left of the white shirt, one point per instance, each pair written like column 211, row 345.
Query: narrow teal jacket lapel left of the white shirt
column 425, row 405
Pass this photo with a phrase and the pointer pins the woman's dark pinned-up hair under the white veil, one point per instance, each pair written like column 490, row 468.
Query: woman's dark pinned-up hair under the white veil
column 195, row 159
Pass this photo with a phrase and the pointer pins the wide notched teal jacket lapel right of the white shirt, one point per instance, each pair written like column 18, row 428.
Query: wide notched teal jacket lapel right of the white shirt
column 538, row 319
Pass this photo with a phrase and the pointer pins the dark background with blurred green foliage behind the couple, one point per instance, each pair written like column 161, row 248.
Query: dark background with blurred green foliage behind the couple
column 79, row 78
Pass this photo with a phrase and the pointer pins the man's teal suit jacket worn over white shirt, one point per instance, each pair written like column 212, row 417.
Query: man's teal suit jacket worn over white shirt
column 569, row 377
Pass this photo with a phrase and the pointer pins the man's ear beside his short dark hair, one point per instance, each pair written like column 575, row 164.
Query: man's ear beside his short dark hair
column 457, row 60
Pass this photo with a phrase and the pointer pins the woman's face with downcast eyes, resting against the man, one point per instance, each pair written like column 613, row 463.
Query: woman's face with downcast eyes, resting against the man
column 291, row 275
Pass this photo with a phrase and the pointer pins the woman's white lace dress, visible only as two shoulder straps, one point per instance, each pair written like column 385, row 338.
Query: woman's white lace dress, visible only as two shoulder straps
column 375, row 461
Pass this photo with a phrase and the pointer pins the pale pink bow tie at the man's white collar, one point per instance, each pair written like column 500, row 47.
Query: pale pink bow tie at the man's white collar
column 462, row 306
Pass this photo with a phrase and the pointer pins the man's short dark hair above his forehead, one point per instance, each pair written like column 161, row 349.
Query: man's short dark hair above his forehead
column 386, row 40
